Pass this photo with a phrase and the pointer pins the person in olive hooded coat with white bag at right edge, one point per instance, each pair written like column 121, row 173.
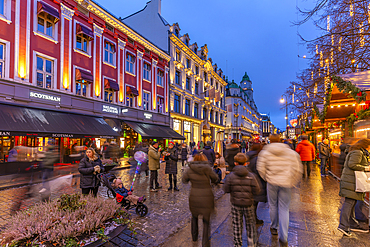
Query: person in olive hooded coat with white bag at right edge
column 356, row 160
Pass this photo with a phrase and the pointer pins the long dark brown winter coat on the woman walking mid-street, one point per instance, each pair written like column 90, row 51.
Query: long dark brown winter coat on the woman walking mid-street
column 201, row 199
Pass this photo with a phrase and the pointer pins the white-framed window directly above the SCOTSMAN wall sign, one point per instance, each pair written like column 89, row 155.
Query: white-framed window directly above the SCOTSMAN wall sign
column 44, row 72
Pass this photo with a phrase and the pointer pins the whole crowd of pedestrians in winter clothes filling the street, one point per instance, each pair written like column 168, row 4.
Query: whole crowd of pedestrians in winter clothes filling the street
column 253, row 173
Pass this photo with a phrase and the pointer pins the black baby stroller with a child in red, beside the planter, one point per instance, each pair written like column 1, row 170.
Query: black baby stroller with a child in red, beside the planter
column 107, row 179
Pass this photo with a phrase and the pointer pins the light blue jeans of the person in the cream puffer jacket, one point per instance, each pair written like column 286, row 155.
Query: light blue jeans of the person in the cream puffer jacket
column 279, row 201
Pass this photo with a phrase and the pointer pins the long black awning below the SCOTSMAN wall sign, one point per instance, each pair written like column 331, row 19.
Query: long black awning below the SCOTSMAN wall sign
column 16, row 120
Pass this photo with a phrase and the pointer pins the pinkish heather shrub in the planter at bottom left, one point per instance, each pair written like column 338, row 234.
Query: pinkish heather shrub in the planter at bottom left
column 58, row 220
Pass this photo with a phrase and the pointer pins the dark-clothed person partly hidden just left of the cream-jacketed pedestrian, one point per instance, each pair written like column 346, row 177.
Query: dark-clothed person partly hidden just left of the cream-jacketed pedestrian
column 262, row 196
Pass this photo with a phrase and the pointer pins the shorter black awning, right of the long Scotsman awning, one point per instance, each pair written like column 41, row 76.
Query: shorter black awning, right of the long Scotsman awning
column 153, row 131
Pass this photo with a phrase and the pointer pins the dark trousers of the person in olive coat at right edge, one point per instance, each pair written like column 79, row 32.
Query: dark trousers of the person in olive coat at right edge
column 347, row 215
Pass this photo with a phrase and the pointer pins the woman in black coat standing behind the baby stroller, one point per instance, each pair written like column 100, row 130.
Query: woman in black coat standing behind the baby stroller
column 90, row 166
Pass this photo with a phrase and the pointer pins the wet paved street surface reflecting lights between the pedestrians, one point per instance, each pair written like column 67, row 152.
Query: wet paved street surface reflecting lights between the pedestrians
column 314, row 213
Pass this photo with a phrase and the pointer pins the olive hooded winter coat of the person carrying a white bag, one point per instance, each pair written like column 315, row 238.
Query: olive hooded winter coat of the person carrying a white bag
column 355, row 161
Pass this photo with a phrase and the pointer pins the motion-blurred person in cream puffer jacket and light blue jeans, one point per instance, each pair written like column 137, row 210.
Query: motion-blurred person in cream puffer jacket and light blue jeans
column 281, row 168
